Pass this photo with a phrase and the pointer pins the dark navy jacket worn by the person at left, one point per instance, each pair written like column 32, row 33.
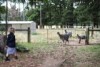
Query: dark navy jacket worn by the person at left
column 11, row 40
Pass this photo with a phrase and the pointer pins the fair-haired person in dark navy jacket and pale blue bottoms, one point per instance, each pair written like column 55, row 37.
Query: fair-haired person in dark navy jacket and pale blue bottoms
column 11, row 45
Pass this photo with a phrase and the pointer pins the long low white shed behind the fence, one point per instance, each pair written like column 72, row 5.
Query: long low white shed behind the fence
column 21, row 25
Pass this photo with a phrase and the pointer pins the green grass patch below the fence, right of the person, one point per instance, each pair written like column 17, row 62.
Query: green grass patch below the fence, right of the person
column 42, row 46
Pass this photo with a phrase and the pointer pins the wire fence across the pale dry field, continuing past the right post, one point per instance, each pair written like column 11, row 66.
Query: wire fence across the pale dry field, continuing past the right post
column 50, row 36
